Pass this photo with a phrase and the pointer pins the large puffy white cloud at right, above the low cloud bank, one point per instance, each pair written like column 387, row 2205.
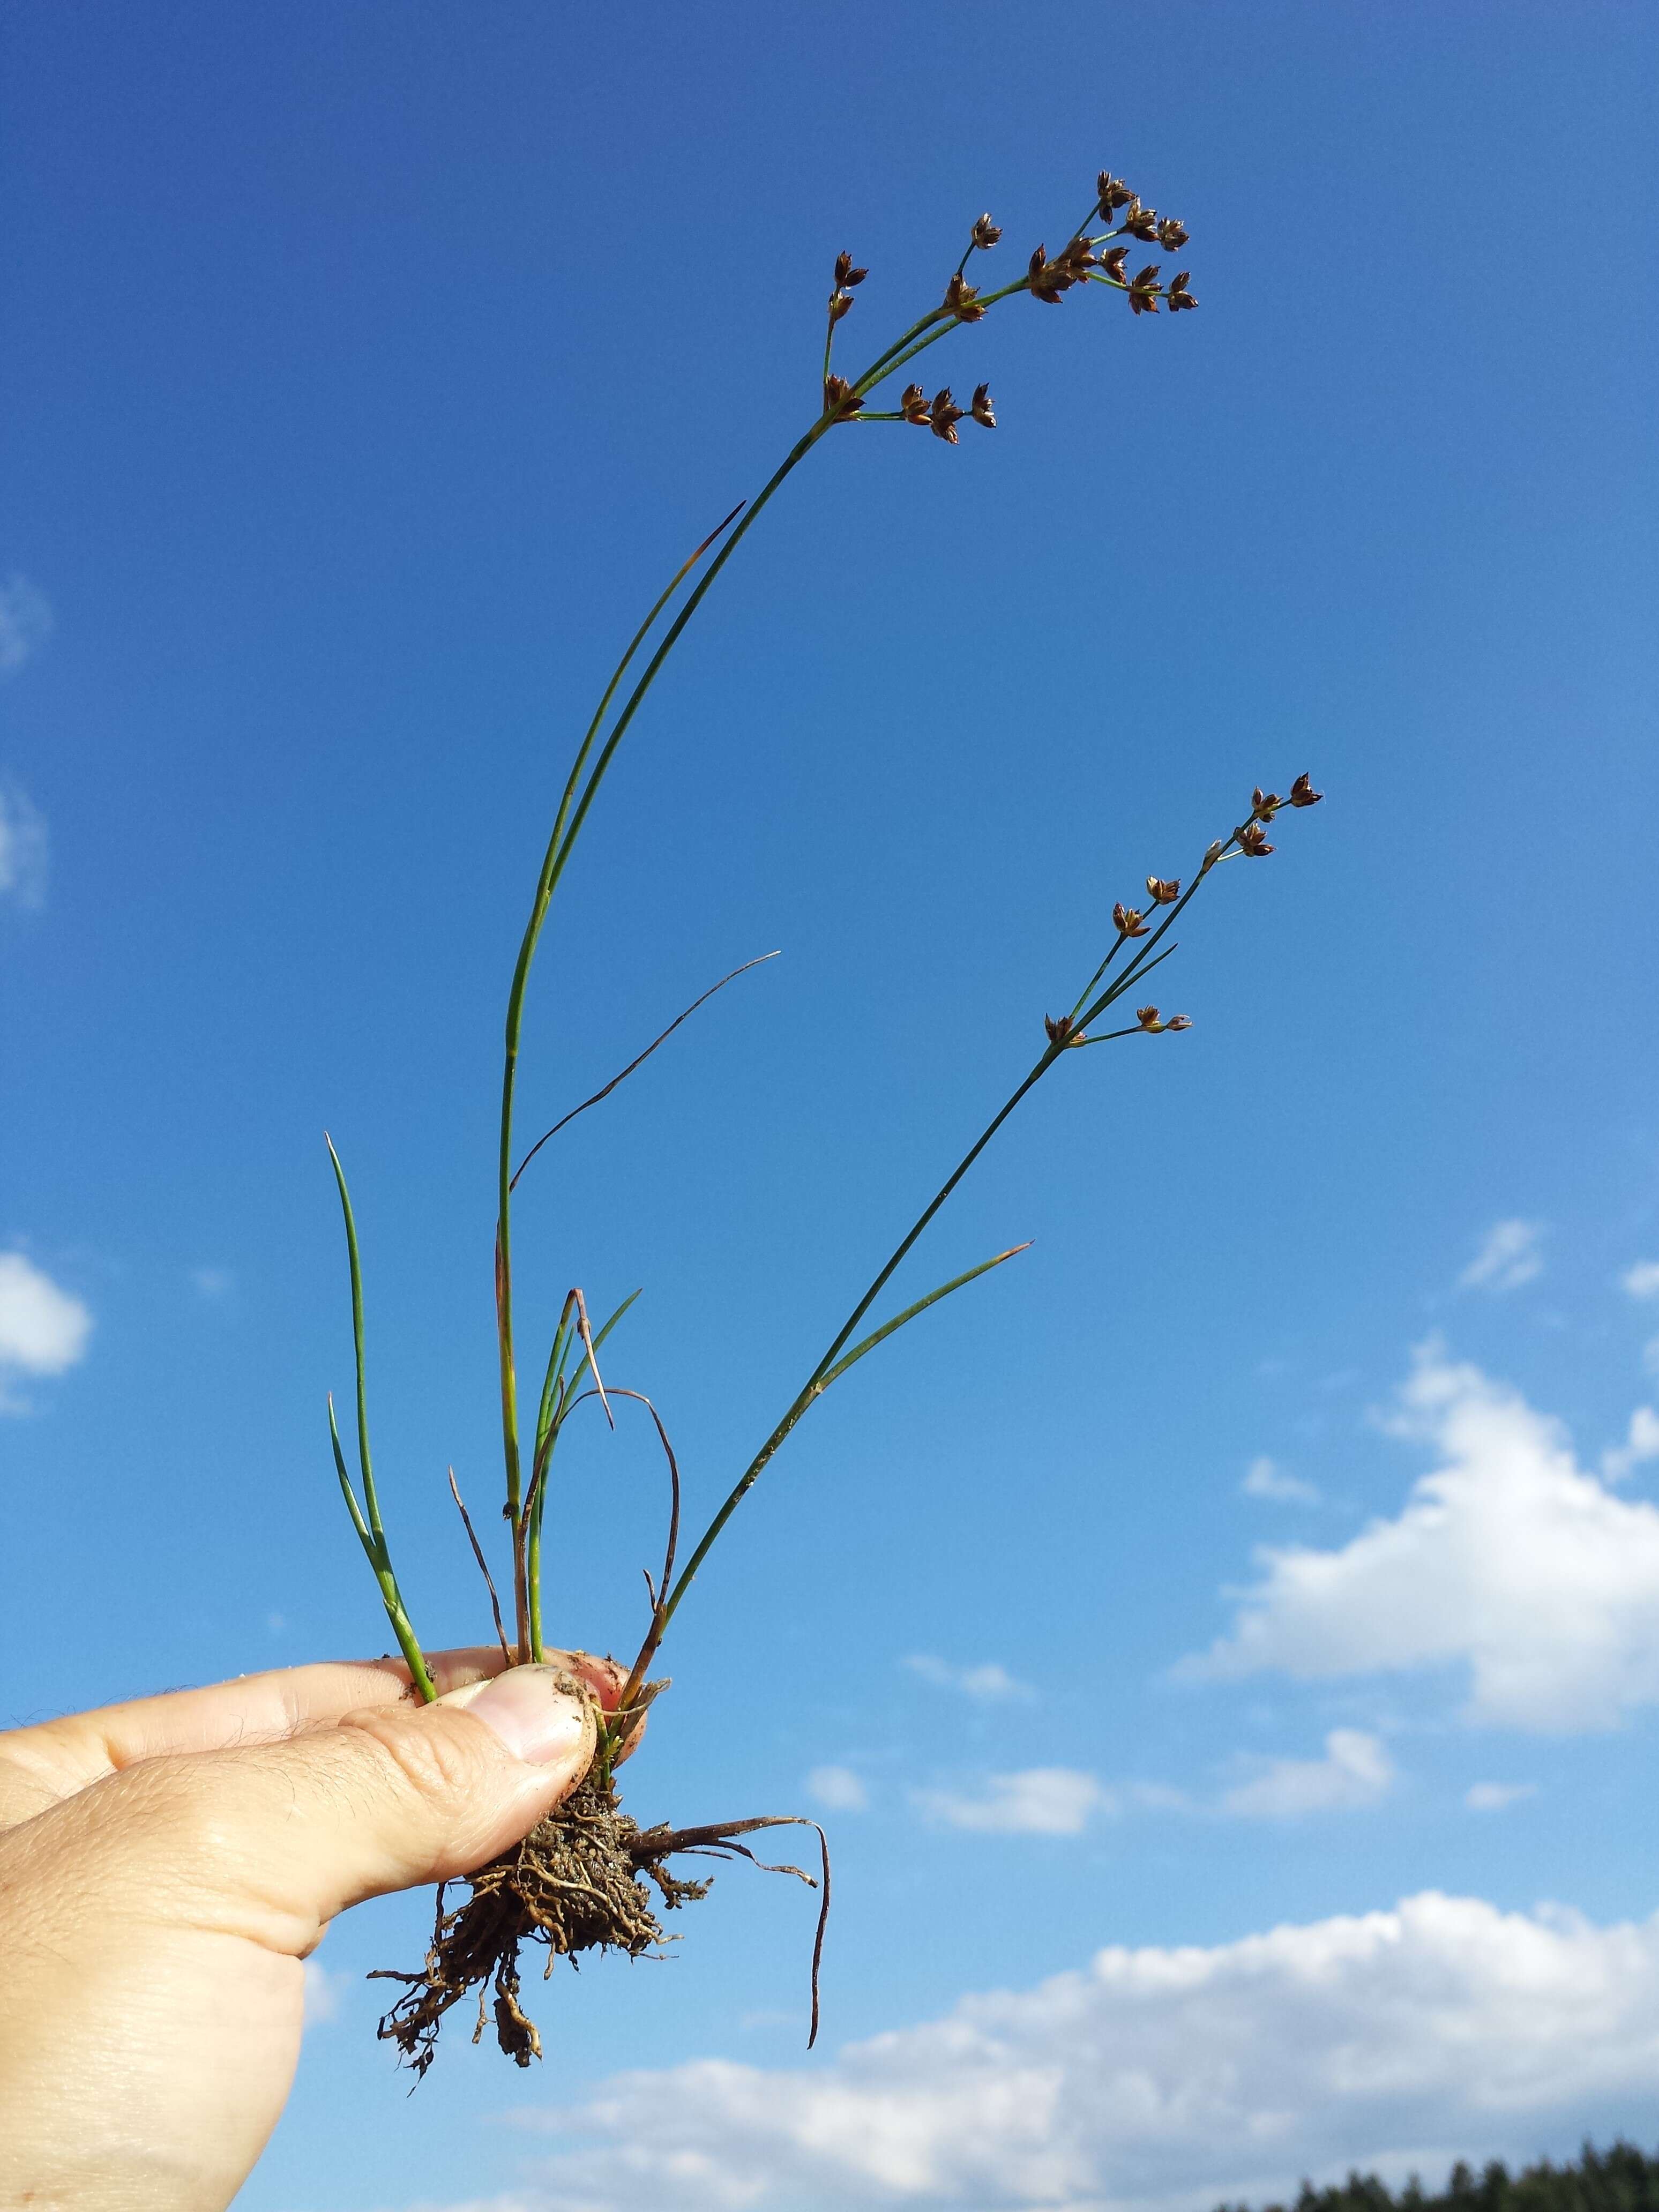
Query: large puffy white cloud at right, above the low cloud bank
column 1510, row 1563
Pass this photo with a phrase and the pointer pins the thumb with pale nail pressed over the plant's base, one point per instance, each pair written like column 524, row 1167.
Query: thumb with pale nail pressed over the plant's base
column 273, row 1841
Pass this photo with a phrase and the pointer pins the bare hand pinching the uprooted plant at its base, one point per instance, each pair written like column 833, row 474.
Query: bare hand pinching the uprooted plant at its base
column 169, row 1866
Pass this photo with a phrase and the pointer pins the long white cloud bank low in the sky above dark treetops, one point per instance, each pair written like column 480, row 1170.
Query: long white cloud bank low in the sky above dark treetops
column 1162, row 2080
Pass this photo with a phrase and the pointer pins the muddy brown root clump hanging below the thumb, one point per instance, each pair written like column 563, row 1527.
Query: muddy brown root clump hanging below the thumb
column 576, row 1884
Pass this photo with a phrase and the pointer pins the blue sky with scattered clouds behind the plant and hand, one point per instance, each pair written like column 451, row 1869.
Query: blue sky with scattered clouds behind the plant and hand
column 368, row 371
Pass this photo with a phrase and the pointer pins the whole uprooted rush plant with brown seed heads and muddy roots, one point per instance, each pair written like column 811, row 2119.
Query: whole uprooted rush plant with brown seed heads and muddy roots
column 578, row 1881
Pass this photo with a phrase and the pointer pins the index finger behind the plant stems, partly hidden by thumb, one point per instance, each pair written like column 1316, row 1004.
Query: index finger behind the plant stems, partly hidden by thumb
column 39, row 1766
